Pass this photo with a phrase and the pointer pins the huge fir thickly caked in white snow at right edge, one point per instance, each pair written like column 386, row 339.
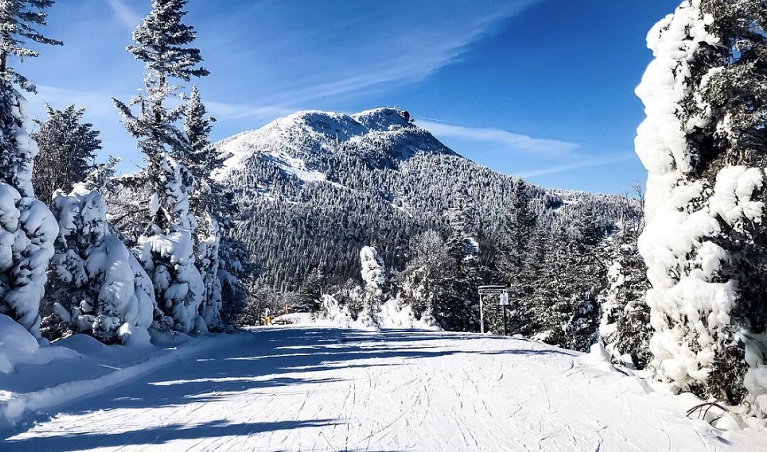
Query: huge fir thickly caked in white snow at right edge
column 705, row 244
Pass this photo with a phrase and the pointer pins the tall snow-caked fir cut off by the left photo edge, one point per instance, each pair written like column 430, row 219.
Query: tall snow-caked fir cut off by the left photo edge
column 27, row 227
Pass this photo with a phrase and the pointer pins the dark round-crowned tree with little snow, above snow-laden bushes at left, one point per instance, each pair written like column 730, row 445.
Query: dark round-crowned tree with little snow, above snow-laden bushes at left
column 67, row 151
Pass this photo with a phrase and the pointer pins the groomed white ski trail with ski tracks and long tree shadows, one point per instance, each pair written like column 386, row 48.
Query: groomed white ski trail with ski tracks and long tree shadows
column 331, row 389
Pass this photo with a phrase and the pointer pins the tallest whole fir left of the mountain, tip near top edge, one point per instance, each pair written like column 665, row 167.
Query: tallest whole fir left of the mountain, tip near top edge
column 166, row 246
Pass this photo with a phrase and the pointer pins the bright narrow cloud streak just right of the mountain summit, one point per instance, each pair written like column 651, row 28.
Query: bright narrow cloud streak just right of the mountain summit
column 514, row 141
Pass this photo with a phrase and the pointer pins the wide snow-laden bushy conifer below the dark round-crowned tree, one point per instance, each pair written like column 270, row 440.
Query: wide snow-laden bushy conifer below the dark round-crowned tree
column 103, row 286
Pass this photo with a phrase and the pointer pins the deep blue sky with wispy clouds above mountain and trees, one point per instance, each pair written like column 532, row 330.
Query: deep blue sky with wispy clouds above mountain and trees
column 541, row 89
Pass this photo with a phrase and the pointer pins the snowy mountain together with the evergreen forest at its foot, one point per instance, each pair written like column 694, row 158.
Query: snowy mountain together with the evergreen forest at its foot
column 312, row 189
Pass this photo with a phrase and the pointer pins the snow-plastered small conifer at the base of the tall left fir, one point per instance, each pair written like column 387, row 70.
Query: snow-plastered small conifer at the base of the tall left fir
column 167, row 253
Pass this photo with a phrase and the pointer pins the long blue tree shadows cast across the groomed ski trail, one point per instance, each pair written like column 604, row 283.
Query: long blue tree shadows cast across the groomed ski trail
column 274, row 358
